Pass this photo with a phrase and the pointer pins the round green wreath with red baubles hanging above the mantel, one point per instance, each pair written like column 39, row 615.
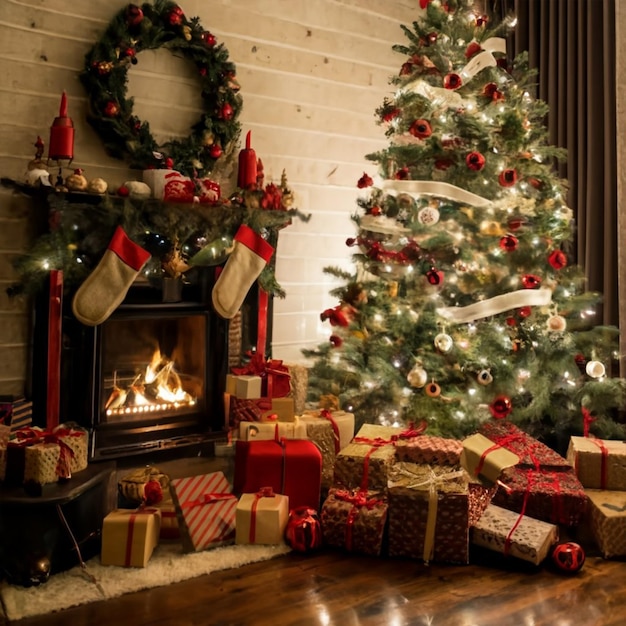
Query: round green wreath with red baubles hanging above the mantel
column 161, row 24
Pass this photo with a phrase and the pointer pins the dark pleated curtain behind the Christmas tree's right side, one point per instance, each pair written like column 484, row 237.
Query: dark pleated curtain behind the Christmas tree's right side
column 572, row 45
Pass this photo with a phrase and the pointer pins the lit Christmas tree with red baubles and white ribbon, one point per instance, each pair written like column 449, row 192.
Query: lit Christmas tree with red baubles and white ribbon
column 465, row 303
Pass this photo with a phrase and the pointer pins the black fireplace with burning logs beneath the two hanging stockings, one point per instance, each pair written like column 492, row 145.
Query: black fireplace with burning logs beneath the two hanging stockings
column 149, row 378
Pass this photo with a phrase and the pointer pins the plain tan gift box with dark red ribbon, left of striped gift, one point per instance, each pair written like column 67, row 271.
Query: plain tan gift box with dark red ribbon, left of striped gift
column 130, row 536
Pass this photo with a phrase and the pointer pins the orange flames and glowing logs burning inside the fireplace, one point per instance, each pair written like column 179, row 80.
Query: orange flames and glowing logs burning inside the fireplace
column 159, row 388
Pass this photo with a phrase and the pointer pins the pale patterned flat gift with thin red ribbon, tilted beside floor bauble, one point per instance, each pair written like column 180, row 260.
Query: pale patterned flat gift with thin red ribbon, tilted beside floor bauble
column 505, row 532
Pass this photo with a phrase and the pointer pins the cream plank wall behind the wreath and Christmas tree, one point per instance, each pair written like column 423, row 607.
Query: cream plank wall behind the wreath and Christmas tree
column 311, row 73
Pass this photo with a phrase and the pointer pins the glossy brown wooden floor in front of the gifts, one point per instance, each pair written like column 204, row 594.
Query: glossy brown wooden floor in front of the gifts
column 334, row 588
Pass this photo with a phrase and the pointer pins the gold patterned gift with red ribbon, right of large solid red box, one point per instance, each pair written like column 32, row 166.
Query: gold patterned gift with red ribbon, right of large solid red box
column 365, row 462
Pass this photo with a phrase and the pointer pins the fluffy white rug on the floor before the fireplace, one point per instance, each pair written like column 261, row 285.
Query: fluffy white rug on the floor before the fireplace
column 167, row 565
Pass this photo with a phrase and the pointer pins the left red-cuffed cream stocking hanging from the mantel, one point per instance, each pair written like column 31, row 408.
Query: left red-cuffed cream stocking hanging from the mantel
column 107, row 285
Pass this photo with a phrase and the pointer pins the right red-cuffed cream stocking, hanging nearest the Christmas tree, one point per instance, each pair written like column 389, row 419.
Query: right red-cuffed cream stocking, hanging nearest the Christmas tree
column 247, row 260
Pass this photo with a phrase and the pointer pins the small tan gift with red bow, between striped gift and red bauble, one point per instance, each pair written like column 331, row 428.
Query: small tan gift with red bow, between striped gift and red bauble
column 262, row 517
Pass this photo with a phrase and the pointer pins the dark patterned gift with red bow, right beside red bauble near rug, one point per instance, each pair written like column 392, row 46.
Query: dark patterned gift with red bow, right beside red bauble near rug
column 354, row 520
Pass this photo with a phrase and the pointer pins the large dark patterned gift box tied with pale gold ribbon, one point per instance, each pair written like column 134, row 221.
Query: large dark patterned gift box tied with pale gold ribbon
column 428, row 513
